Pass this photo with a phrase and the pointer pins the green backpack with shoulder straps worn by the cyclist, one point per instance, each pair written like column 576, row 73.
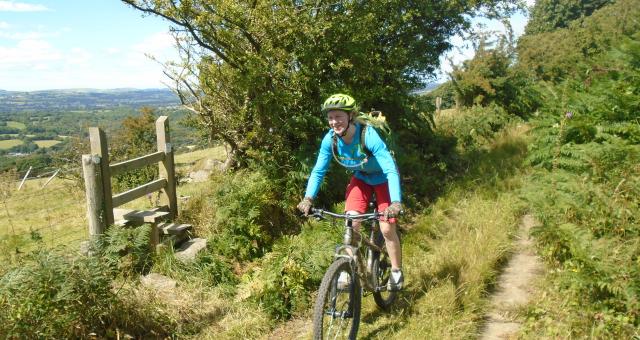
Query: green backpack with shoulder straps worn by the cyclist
column 375, row 120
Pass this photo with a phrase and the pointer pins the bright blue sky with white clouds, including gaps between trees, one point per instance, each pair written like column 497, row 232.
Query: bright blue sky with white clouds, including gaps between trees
column 57, row 44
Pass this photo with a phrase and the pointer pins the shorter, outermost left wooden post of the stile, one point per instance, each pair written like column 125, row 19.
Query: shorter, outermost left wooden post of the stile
column 94, row 194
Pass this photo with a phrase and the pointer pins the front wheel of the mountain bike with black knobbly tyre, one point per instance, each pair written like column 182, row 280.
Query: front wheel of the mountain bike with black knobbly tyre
column 337, row 311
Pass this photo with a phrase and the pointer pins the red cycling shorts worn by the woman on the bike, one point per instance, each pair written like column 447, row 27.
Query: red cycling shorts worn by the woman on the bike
column 359, row 193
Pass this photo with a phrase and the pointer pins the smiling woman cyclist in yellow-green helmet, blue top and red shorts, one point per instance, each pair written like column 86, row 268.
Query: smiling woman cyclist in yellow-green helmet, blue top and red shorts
column 377, row 173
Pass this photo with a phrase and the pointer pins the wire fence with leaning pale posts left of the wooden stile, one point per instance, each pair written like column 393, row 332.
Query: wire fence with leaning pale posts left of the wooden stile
column 42, row 208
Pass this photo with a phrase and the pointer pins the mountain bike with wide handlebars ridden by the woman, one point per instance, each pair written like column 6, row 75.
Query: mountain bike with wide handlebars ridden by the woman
column 365, row 266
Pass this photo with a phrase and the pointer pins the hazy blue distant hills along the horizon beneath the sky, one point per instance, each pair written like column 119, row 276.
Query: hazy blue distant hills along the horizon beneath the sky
column 84, row 99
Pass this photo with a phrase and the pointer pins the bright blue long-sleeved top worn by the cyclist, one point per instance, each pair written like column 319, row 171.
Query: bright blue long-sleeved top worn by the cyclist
column 378, row 169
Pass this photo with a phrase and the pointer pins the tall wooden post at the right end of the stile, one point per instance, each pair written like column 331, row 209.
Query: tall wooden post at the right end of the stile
column 166, row 166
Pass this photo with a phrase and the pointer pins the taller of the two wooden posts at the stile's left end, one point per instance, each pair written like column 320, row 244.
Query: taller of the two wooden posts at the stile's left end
column 100, row 147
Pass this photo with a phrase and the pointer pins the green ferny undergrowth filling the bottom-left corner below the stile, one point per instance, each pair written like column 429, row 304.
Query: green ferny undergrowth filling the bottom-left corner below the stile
column 50, row 296
